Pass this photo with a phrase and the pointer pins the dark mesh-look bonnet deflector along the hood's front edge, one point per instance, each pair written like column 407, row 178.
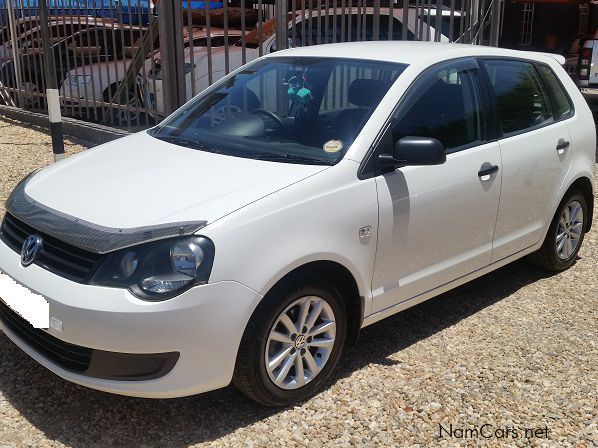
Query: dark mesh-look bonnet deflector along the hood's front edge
column 86, row 235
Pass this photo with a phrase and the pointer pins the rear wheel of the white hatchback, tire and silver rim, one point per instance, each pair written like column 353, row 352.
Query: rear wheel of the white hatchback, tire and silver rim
column 565, row 235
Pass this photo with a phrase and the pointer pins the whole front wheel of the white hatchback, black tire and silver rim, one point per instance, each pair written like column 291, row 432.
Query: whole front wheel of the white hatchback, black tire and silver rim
column 304, row 350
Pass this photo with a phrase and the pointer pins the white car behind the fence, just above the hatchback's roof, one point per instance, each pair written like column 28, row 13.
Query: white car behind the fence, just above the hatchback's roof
column 312, row 28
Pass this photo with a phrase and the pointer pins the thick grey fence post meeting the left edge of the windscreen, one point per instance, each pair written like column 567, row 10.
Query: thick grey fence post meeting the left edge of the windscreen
column 170, row 24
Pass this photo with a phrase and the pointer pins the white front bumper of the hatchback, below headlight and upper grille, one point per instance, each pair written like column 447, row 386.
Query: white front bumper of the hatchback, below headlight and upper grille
column 204, row 324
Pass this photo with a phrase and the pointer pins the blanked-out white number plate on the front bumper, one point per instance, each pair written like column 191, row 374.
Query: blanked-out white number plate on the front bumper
column 30, row 306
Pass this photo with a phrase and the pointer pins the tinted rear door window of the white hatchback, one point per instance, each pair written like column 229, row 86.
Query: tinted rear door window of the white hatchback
column 521, row 98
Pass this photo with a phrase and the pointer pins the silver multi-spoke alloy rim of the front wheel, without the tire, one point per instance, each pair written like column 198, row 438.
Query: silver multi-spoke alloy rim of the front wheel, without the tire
column 300, row 342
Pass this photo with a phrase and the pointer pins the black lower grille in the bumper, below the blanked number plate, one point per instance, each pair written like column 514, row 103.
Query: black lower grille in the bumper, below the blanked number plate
column 68, row 356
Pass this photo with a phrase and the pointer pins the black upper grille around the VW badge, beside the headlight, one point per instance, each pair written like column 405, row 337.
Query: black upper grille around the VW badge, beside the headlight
column 56, row 256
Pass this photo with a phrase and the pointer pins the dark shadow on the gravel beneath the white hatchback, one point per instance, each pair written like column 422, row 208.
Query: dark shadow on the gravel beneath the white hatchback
column 80, row 417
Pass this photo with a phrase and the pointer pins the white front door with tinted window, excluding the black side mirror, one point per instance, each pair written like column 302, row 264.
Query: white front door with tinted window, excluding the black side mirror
column 436, row 223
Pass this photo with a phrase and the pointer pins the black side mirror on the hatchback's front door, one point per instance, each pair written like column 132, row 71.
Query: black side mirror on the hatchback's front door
column 414, row 151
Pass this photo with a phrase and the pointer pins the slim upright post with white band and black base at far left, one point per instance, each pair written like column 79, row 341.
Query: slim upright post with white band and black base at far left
column 52, row 98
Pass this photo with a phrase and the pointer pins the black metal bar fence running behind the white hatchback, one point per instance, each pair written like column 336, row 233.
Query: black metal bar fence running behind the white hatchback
column 128, row 63
